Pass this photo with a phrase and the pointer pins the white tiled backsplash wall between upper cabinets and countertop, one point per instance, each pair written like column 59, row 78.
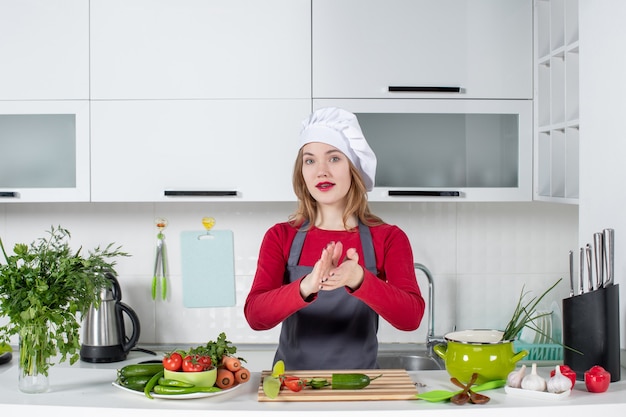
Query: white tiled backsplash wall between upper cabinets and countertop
column 480, row 254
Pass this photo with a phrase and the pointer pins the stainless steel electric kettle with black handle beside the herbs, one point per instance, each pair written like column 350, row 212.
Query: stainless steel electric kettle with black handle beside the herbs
column 104, row 334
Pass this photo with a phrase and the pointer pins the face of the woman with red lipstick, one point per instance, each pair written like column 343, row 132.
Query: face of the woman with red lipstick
column 326, row 172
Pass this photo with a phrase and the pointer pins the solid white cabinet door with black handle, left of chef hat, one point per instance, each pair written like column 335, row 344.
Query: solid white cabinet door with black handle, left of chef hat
column 195, row 150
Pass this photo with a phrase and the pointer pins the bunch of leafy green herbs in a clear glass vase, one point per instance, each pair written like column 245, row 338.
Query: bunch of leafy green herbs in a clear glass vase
column 45, row 287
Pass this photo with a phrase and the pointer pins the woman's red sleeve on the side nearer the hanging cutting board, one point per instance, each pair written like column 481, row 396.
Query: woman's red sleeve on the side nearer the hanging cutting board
column 269, row 302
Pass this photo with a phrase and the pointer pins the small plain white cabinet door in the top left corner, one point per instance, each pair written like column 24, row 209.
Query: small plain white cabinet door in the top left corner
column 44, row 49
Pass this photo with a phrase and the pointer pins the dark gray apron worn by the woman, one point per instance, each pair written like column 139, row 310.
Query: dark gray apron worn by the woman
column 337, row 330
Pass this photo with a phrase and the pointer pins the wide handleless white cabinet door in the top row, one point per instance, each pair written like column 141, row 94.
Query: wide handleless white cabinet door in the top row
column 184, row 49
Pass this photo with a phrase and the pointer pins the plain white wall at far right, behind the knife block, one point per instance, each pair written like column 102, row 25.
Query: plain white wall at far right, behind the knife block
column 602, row 137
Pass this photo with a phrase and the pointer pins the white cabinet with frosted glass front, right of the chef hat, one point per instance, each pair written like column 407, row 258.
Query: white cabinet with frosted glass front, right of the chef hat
column 447, row 150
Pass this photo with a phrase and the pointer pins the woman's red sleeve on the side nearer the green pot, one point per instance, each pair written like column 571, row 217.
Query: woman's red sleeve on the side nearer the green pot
column 394, row 294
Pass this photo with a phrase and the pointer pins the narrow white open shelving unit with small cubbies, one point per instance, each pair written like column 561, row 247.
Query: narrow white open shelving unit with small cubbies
column 557, row 135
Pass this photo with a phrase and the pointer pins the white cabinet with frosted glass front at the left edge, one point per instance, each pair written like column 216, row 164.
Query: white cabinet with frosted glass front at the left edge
column 44, row 151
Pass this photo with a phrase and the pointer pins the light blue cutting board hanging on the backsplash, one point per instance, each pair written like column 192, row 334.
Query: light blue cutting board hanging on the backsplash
column 208, row 268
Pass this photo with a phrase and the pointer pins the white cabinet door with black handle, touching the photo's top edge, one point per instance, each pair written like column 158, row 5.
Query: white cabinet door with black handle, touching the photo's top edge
column 363, row 47
